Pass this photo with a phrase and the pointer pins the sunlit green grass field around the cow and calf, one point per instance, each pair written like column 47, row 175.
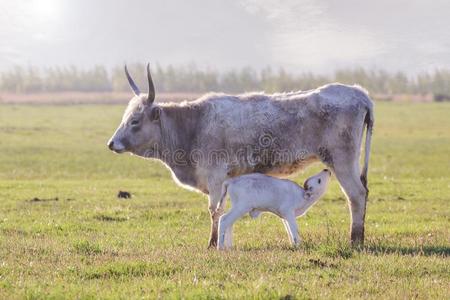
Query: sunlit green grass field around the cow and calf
column 64, row 234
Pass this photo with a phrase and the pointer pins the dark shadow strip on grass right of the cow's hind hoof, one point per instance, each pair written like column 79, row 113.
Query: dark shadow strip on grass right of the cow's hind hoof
column 424, row 250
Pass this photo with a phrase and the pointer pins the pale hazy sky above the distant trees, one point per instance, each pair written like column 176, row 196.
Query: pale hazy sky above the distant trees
column 300, row 35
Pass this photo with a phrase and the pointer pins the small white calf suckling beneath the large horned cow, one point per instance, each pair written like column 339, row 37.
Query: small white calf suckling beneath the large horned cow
column 256, row 193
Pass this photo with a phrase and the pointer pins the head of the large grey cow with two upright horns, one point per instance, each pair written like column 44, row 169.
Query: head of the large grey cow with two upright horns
column 139, row 132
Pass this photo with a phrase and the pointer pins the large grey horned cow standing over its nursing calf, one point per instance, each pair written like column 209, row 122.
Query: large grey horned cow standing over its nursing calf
column 218, row 136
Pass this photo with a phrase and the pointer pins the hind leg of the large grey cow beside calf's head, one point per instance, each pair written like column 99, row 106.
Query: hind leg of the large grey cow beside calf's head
column 347, row 173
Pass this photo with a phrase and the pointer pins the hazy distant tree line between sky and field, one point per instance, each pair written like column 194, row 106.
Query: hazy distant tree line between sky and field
column 190, row 78
